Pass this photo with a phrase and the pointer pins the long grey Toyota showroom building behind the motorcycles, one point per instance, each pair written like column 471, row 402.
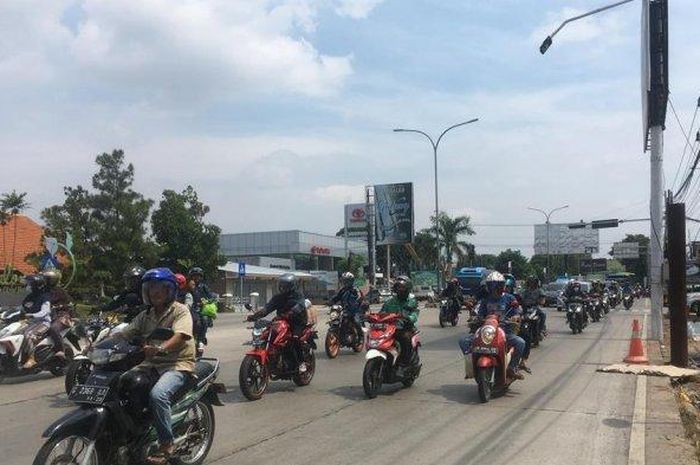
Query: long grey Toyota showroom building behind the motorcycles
column 267, row 255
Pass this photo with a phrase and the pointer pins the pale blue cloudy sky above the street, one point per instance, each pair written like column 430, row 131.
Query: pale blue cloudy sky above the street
column 278, row 112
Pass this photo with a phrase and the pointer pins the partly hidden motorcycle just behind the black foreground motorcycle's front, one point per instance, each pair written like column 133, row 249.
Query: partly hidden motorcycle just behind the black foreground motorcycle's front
column 94, row 330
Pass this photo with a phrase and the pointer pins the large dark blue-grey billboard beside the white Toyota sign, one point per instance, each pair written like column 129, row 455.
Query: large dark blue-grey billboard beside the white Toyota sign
column 393, row 205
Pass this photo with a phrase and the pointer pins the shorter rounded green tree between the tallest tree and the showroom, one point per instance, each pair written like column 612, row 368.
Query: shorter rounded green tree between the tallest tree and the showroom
column 185, row 239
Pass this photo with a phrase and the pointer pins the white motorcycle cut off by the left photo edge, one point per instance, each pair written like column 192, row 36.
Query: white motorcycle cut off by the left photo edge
column 22, row 339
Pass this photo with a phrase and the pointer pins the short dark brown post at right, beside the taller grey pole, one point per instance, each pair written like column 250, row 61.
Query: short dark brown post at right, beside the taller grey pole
column 677, row 299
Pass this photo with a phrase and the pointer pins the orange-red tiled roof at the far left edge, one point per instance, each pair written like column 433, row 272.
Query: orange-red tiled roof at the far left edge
column 29, row 240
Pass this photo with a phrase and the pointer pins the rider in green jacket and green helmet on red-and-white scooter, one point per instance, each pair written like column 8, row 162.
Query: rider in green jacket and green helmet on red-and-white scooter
column 403, row 303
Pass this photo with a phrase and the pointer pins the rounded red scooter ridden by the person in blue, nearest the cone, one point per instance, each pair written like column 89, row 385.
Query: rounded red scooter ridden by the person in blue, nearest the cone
column 490, row 359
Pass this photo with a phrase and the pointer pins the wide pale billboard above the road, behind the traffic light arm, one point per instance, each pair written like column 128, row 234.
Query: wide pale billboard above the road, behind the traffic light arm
column 565, row 241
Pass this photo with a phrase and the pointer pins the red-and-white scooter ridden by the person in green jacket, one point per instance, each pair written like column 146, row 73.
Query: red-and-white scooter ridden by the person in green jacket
column 384, row 351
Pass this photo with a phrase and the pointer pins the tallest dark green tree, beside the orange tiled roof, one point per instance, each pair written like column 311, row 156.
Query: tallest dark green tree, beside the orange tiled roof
column 108, row 225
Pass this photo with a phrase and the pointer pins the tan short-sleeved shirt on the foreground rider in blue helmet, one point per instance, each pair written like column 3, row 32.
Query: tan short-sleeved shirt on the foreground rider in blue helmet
column 177, row 318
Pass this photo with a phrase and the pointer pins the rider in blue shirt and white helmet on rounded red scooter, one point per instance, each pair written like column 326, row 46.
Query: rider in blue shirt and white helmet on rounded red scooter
column 506, row 306
